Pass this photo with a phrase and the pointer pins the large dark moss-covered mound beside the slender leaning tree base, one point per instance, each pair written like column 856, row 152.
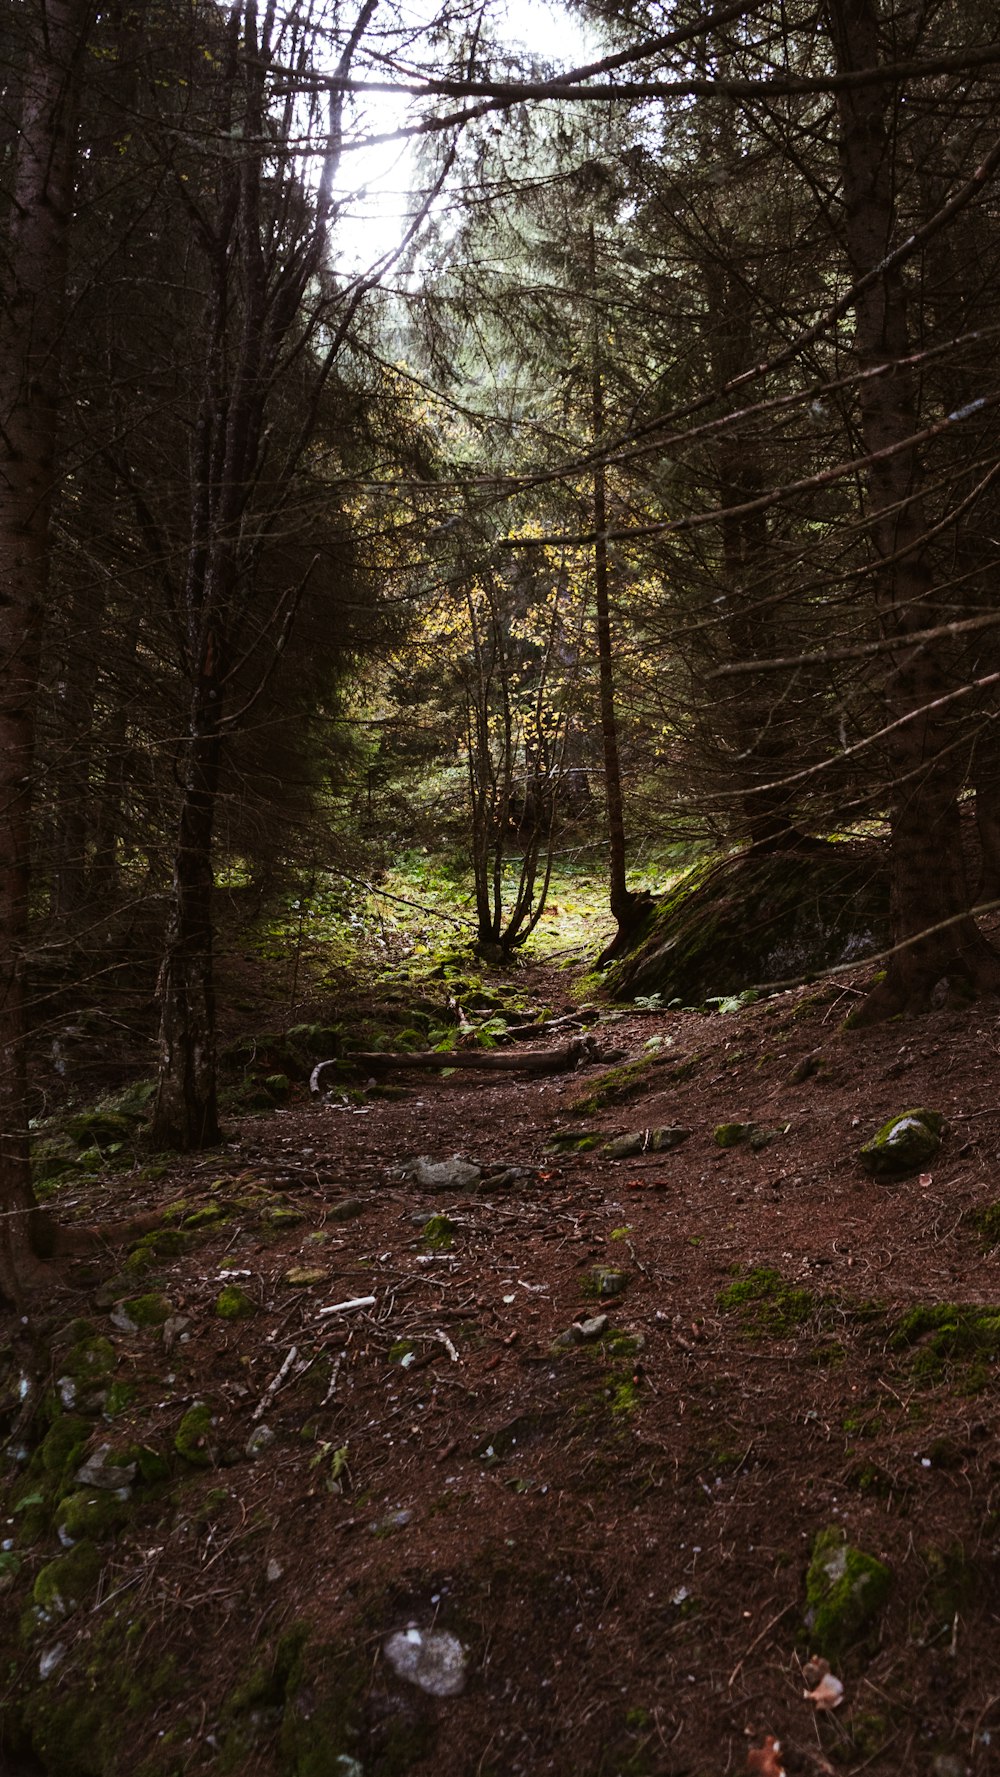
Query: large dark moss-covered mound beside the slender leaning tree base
column 754, row 920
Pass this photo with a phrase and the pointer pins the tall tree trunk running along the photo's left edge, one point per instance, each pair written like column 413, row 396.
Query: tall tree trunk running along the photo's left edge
column 31, row 339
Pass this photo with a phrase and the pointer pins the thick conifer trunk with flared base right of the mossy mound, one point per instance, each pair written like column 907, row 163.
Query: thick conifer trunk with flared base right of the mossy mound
column 933, row 934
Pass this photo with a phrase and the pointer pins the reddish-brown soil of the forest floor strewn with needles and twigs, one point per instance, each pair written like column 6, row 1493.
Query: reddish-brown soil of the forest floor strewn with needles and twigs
column 621, row 1536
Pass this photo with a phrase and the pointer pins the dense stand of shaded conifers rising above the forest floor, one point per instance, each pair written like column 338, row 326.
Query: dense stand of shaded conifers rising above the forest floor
column 642, row 498
